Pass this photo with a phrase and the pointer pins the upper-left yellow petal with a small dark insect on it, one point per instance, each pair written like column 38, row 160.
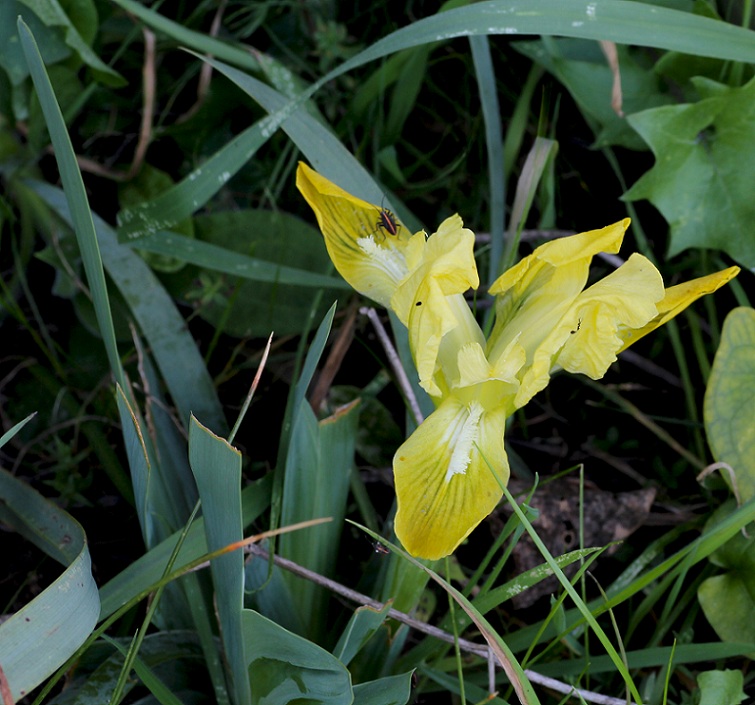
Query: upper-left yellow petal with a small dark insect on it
column 366, row 255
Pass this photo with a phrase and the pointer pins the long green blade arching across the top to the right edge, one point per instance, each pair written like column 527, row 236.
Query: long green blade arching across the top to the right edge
column 616, row 20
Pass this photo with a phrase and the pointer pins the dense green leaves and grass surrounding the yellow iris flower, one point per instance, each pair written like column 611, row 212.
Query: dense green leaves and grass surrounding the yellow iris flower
column 425, row 114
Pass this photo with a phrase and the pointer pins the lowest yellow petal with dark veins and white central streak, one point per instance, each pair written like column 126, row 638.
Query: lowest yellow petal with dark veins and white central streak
column 444, row 487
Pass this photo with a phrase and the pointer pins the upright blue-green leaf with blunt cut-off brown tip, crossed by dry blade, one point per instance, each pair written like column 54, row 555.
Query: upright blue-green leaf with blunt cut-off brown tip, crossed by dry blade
column 217, row 470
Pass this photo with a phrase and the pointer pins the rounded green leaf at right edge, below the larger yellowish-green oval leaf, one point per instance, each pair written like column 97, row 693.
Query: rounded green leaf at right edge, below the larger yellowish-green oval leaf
column 728, row 600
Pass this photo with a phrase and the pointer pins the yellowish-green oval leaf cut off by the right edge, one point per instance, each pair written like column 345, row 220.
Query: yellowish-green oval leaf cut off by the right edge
column 730, row 400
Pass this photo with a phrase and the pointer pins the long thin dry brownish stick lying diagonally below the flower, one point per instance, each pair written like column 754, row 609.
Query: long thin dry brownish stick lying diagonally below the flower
column 471, row 647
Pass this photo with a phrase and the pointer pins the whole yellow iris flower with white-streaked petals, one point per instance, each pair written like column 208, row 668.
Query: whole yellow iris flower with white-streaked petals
column 545, row 321
